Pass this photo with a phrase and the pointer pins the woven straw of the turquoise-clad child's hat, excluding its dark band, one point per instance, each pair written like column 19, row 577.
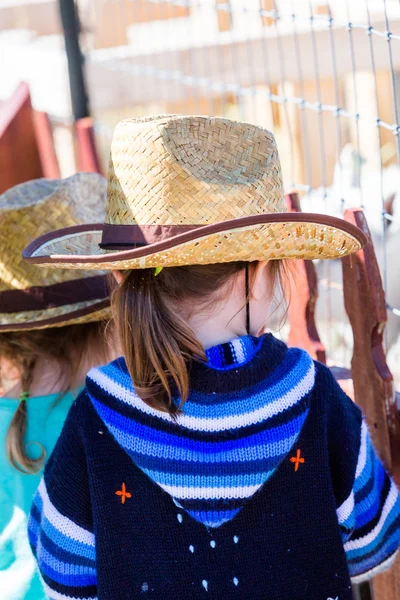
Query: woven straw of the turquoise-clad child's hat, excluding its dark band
column 35, row 208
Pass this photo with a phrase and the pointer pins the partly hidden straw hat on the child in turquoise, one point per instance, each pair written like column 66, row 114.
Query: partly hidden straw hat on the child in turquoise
column 32, row 298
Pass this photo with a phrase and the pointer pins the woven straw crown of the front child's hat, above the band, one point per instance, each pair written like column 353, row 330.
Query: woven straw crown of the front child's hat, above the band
column 174, row 170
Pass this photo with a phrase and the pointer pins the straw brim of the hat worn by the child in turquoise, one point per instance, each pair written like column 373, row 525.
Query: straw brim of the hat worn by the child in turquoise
column 61, row 316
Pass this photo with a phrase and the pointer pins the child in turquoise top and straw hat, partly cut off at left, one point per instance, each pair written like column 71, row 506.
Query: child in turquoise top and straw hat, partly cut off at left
column 51, row 331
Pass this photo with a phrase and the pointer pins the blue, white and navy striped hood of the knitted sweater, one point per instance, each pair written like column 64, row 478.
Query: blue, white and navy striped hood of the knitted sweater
column 244, row 414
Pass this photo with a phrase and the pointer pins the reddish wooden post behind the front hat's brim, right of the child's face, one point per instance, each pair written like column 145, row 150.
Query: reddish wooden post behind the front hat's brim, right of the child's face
column 303, row 294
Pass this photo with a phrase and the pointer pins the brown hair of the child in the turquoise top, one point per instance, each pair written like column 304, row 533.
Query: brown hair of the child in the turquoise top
column 68, row 346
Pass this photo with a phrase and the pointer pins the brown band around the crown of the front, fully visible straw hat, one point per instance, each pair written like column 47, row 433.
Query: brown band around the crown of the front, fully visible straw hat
column 127, row 236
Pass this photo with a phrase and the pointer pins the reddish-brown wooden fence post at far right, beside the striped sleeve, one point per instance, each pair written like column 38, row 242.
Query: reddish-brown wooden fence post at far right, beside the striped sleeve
column 373, row 383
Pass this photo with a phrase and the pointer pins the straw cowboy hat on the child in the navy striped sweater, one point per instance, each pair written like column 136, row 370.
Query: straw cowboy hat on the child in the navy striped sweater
column 188, row 190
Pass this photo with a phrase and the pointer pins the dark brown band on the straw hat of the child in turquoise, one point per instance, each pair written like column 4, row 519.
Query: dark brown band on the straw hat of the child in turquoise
column 58, row 294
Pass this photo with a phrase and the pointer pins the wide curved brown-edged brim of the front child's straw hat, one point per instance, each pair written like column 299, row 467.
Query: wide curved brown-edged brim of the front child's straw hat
column 258, row 237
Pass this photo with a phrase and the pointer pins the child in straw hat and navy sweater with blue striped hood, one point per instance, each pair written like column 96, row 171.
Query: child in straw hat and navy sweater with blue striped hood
column 212, row 461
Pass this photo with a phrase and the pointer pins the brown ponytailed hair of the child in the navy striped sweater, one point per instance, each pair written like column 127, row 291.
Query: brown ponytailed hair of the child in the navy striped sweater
column 156, row 341
